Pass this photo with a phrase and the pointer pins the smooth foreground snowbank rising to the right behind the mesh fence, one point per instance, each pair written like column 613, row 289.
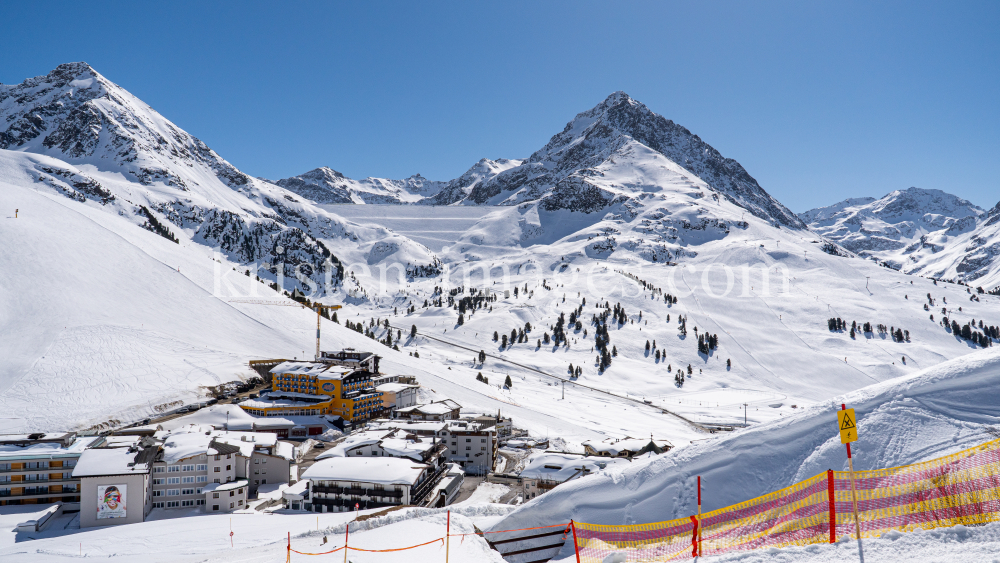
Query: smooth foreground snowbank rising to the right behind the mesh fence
column 938, row 411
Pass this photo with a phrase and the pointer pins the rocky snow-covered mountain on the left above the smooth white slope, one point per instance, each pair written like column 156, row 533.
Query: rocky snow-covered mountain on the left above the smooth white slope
column 109, row 147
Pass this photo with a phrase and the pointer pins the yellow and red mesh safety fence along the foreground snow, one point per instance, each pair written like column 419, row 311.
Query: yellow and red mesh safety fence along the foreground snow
column 962, row 488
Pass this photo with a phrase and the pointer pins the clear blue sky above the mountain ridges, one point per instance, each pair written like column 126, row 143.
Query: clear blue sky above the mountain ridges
column 818, row 100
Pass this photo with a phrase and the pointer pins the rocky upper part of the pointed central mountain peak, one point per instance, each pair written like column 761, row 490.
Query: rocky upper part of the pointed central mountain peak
column 621, row 132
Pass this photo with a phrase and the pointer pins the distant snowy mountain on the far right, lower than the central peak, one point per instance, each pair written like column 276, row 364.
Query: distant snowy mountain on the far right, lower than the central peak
column 901, row 228
